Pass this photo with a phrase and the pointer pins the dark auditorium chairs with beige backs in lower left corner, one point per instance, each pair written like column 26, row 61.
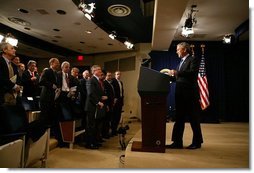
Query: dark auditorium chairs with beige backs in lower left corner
column 22, row 144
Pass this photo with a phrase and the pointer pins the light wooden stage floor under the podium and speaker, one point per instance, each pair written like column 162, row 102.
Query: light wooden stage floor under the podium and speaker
column 226, row 145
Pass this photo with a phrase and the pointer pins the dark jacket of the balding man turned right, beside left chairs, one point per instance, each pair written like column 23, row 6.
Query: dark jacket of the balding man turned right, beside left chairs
column 48, row 78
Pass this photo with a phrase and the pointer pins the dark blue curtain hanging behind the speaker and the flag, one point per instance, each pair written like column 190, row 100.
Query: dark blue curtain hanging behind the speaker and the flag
column 227, row 74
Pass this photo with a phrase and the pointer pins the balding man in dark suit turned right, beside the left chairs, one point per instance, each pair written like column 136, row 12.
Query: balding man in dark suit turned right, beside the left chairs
column 48, row 81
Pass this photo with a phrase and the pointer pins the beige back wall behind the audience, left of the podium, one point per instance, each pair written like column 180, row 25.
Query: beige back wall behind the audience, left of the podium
column 130, row 78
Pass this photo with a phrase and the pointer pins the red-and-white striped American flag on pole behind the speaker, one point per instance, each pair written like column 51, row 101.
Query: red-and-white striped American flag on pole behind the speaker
column 203, row 85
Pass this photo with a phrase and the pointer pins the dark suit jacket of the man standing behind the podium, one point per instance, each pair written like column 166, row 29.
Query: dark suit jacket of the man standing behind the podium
column 186, row 82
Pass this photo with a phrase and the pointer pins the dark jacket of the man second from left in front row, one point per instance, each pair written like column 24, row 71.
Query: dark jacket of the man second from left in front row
column 30, row 88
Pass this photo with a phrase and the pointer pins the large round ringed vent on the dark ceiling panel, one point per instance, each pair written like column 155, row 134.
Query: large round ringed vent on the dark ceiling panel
column 119, row 10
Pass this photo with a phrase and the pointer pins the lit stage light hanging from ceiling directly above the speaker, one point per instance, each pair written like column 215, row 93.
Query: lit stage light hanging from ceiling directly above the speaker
column 187, row 29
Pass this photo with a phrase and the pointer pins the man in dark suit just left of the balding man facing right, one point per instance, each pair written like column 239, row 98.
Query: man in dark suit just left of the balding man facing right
column 30, row 81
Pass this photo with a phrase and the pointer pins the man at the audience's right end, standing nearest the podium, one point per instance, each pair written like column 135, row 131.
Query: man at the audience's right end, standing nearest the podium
column 118, row 101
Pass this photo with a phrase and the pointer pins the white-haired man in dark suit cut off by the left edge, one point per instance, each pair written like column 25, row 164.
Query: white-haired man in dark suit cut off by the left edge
column 7, row 71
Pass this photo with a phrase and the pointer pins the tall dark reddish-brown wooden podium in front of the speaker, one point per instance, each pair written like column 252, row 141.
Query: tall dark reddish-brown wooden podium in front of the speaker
column 153, row 88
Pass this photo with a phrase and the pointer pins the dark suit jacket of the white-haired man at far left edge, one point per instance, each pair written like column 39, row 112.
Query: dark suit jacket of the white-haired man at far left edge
column 6, row 84
